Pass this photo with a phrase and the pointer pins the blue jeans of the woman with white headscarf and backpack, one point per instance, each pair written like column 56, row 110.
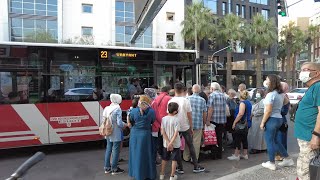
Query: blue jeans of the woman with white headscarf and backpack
column 114, row 148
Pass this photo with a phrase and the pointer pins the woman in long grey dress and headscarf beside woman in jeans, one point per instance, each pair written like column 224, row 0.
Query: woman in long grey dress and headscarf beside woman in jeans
column 256, row 140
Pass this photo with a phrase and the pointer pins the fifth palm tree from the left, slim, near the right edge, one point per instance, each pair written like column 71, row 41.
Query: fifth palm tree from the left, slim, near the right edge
column 299, row 43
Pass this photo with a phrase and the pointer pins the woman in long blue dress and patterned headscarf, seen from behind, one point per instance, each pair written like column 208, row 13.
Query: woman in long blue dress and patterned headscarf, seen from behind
column 141, row 154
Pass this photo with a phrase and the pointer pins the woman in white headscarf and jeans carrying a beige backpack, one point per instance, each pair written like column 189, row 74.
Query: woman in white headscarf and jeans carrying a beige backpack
column 114, row 113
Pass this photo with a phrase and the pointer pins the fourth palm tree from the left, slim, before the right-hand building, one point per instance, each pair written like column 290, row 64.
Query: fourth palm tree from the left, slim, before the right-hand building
column 287, row 34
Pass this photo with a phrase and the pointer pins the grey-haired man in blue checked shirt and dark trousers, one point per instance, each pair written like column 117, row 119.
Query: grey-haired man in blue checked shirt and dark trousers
column 217, row 113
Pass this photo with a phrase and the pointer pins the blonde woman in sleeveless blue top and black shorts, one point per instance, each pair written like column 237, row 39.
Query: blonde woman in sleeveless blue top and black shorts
column 240, row 126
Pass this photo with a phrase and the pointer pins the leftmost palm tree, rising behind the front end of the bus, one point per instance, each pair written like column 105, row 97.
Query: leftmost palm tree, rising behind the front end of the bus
column 197, row 25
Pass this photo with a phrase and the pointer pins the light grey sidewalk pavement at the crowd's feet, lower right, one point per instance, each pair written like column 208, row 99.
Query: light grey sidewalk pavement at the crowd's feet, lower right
column 261, row 173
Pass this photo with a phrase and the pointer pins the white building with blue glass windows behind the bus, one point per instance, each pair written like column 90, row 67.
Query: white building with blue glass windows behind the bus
column 100, row 22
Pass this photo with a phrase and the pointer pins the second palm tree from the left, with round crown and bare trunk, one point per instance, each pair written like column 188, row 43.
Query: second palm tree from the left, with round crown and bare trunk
column 230, row 30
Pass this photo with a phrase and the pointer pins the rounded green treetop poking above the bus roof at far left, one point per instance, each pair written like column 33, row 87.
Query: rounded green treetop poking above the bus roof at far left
column 40, row 36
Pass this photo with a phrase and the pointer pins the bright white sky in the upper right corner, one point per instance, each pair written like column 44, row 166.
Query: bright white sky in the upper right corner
column 305, row 8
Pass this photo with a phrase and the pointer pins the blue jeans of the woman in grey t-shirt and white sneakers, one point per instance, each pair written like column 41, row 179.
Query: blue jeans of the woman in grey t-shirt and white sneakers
column 273, row 139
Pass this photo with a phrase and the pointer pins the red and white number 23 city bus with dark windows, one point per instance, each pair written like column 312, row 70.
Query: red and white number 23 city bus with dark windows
column 55, row 93
